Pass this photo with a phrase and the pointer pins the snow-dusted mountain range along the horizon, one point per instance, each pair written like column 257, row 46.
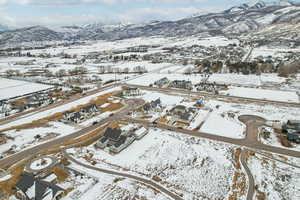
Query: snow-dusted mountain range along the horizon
column 244, row 19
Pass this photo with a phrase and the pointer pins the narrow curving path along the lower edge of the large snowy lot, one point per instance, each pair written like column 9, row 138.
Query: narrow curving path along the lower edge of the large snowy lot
column 130, row 176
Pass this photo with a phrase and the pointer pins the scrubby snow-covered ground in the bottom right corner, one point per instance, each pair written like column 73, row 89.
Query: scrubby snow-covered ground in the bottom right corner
column 274, row 180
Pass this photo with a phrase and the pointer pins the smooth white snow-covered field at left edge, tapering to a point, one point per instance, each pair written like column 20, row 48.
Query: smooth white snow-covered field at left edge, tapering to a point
column 14, row 88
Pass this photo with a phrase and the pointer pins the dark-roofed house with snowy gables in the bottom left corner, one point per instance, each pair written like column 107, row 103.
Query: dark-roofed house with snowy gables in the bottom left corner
column 31, row 188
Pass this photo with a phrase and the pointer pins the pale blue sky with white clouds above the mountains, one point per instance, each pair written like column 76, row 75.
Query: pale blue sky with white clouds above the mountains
column 55, row 13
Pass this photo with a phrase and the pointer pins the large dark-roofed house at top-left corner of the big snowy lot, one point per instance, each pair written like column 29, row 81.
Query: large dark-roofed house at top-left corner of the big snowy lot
column 115, row 140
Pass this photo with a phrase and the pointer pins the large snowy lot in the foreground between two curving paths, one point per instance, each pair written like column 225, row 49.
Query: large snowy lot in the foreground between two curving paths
column 193, row 167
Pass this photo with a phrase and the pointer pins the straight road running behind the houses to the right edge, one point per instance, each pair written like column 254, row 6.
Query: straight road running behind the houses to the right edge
column 217, row 96
